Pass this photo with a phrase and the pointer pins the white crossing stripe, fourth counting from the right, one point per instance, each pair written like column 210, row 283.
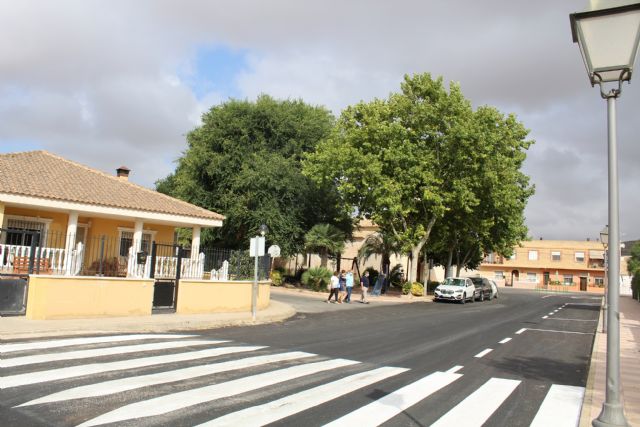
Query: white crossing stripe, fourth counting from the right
column 298, row 402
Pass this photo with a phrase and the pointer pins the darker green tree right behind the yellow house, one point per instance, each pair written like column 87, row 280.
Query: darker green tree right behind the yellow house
column 244, row 161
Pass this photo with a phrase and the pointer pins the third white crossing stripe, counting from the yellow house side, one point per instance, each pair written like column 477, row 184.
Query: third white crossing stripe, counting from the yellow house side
column 98, row 368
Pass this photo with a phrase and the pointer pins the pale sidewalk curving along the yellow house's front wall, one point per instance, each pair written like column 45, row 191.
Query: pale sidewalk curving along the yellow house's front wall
column 15, row 327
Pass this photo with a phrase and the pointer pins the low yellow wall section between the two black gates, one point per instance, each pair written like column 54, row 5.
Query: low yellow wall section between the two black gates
column 52, row 297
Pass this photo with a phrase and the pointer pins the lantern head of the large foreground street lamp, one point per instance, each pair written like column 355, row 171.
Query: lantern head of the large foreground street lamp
column 608, row 40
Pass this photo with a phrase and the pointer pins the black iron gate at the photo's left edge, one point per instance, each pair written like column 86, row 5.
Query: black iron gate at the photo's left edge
column 19, row 257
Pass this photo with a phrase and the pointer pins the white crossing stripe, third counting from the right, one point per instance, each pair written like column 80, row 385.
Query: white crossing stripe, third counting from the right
column 389, row 406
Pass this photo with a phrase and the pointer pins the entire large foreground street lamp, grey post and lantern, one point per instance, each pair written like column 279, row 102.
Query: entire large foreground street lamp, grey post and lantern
column 608, row 40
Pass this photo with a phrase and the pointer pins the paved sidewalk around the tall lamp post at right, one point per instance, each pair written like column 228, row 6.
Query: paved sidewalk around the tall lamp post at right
column 629, row 367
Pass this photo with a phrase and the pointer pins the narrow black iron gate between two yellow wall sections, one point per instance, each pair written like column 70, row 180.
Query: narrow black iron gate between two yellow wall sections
column 166, row 264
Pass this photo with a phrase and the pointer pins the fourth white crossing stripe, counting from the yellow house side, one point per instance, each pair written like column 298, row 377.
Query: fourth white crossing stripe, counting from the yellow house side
column 131, row 383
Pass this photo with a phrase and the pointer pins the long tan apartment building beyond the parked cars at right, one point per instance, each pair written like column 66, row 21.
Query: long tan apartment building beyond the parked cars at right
column 574, row 265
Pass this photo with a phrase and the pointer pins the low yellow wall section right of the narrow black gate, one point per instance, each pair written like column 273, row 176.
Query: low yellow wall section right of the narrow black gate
column 202, row 296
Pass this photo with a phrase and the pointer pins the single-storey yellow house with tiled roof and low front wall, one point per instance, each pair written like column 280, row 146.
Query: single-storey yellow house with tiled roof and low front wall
column 62, row 220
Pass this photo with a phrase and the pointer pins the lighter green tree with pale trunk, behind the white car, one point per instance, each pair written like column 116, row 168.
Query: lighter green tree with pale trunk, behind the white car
column 424, row 158
